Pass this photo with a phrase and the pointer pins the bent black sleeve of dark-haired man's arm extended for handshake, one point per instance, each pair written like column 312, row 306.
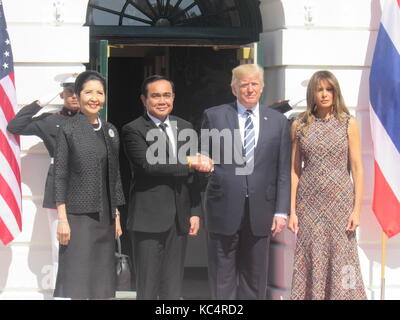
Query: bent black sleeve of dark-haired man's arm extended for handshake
column 135, row 147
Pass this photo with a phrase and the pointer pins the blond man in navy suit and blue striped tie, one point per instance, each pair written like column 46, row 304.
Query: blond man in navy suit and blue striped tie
column 248, row 196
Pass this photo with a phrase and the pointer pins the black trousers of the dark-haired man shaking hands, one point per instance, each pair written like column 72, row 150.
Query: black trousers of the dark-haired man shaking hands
column 159, row 262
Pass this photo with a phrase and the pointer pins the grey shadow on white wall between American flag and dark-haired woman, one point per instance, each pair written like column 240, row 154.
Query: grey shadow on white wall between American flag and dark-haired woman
column 39, row 257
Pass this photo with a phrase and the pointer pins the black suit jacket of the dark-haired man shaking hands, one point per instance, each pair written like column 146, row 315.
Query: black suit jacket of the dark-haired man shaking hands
column 159, row 193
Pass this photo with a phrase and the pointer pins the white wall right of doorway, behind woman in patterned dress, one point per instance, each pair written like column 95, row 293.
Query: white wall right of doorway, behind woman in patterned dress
column 340, row 37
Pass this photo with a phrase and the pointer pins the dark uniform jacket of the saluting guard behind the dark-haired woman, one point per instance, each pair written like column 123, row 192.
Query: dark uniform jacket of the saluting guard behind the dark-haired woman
column 45, row 127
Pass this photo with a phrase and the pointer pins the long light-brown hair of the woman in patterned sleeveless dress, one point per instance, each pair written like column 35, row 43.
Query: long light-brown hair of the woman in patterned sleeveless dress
column 338, row 107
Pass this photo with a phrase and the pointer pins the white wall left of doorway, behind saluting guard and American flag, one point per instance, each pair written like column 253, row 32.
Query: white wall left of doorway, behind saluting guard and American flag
column 42, row 49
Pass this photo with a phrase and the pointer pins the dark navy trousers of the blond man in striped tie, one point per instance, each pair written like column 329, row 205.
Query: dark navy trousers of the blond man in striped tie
column 238, row 264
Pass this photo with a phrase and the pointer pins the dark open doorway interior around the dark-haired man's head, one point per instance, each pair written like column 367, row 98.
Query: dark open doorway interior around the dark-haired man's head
column 201, row 76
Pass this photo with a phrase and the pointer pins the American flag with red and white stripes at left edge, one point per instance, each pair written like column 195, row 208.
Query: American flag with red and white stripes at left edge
column 10, row 167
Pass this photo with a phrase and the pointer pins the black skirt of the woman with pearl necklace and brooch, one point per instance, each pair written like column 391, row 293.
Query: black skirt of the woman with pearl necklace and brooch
column 86, row 265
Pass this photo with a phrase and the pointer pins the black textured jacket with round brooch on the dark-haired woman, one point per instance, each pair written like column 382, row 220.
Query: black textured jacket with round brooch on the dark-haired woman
column 77, row 167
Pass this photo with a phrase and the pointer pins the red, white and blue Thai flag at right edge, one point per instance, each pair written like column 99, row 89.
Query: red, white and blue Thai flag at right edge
column 384, row 85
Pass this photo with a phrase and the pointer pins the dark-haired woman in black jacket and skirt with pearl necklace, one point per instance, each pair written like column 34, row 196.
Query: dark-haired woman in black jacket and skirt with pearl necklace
column 88, row 191
